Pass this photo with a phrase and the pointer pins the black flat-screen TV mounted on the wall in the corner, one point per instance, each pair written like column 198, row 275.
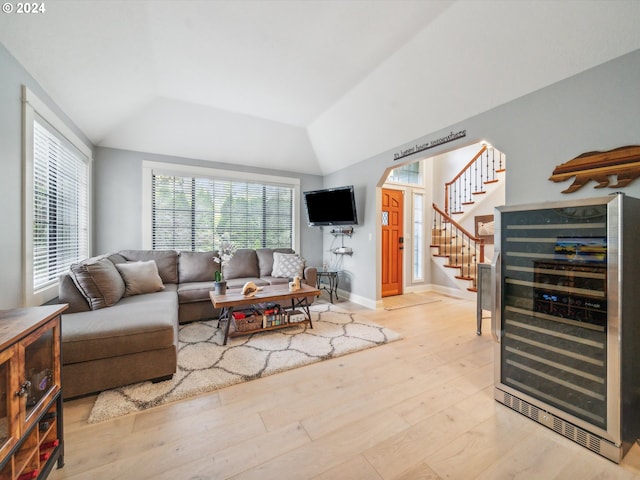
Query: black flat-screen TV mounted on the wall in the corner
column 332, row 206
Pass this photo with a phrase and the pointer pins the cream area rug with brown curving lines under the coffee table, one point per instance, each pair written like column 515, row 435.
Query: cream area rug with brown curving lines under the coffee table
column 205, row 365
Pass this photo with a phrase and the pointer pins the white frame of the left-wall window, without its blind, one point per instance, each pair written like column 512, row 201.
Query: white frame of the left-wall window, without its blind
column 32, row 106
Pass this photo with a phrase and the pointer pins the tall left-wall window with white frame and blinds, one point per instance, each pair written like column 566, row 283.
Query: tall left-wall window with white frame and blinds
column 57, row 172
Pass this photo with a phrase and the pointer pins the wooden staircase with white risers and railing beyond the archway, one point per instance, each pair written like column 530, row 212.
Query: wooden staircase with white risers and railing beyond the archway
column 453, row 247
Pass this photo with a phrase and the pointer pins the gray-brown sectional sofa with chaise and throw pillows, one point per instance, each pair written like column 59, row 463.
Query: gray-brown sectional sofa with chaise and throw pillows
column 124, row 309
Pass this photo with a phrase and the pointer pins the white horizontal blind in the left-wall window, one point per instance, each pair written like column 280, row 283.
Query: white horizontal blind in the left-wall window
column 60, row 205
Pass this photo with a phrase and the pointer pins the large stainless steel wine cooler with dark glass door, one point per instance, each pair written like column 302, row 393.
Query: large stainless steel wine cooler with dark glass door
column 566, row 319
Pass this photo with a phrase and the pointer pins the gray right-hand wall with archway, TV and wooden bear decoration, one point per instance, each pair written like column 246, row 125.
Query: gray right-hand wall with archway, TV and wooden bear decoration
column 596, row 110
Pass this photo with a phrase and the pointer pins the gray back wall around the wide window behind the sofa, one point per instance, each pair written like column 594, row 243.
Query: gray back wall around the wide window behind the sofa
column 118, row 199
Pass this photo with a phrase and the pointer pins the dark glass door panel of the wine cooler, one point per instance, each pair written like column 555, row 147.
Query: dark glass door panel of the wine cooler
column 553, row 315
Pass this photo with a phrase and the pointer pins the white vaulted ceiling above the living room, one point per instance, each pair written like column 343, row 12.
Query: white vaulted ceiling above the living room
column 302, row 85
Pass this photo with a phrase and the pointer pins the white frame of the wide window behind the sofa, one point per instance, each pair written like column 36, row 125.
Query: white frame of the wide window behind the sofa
column 149, row 168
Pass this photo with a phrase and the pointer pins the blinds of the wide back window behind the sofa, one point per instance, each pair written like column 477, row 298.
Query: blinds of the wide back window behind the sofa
column 193, row 213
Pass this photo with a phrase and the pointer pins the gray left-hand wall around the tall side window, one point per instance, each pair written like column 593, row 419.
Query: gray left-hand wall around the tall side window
column 12, row 77
